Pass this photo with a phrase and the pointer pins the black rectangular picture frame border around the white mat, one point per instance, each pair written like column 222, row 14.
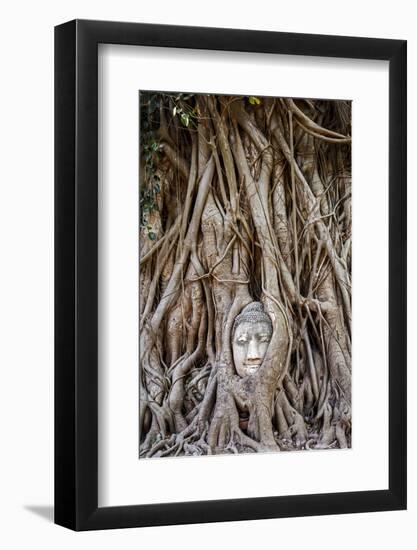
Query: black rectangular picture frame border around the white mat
column 76, row 271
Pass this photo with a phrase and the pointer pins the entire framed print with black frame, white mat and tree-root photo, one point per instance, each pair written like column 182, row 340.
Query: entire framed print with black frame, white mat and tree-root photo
column 230, row 275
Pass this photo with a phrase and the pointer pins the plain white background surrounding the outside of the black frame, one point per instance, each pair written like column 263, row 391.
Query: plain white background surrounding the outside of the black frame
column 26, row 400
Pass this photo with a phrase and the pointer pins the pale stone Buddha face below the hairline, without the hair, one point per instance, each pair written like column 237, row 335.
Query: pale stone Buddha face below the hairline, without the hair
column 250, row 342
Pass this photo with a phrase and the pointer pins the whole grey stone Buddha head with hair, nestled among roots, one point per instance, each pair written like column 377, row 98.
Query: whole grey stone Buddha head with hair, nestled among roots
column 251, row 334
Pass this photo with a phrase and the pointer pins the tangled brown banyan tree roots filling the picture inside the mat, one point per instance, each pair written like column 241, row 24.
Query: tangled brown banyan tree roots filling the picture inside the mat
column 245, row 207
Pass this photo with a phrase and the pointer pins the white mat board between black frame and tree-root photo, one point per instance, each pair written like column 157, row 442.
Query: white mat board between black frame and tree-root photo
column 123, row 479
